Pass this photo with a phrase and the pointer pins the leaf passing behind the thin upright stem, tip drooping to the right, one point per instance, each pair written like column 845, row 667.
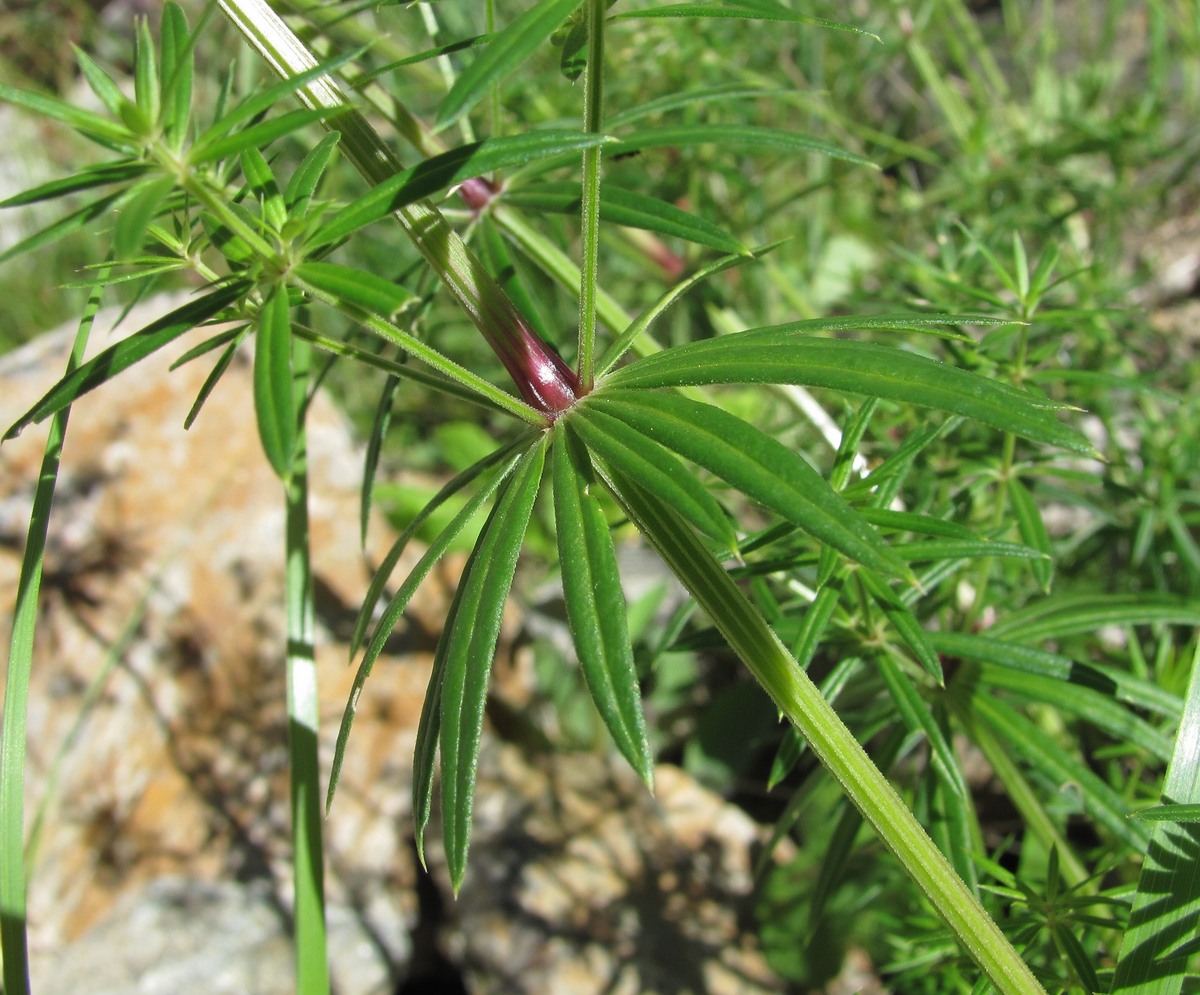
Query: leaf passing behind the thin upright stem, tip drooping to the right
column 625, row 207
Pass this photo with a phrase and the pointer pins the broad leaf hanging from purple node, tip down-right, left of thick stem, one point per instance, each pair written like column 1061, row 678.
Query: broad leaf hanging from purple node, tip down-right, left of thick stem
column 596, row 606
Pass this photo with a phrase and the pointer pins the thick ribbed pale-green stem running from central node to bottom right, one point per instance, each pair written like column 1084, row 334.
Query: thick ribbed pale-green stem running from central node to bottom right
column 835, row 745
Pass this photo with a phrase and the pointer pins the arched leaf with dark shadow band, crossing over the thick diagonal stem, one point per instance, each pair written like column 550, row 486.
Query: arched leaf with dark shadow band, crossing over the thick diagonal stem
column 445, row 171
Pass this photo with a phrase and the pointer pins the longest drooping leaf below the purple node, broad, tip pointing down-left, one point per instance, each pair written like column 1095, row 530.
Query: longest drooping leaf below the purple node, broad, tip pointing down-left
column 467, row 646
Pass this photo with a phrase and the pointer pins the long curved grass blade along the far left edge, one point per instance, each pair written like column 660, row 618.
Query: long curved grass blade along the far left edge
column 14, row 885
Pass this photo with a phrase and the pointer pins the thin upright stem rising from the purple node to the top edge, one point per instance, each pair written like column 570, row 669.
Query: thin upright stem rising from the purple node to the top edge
column 593, row 121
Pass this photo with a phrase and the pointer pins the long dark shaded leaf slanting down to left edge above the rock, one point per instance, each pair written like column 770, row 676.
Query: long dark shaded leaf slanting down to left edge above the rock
column 125, row 353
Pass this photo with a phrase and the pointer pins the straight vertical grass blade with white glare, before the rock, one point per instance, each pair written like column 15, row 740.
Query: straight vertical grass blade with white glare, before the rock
column 308, row 856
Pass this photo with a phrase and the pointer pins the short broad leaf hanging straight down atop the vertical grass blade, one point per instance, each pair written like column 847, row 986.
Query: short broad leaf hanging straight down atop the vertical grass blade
column 274, row 399
